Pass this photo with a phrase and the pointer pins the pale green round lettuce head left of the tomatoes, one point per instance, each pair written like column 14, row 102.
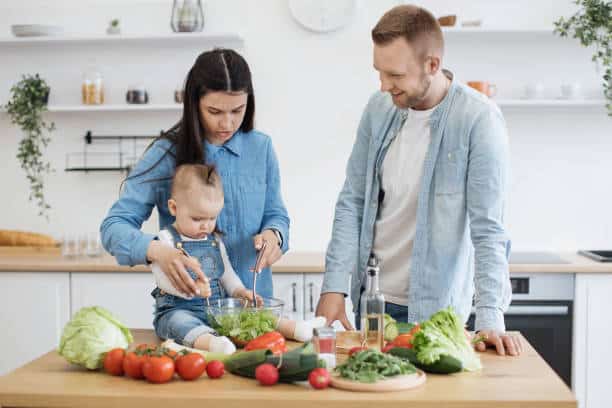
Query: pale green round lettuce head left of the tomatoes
column 90, row 333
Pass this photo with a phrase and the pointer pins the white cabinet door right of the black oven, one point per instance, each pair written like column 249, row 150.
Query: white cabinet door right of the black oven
column 592, row 340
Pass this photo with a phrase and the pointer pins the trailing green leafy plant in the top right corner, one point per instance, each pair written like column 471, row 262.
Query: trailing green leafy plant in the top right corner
column 592, row 25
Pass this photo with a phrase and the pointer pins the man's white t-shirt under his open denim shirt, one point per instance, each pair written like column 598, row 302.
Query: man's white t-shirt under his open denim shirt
column 395, row 225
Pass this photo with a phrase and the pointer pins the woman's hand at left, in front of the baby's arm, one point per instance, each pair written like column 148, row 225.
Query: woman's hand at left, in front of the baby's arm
column 174, row 264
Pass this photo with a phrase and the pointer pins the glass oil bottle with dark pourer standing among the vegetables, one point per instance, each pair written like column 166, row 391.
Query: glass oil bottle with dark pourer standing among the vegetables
column 372, row 308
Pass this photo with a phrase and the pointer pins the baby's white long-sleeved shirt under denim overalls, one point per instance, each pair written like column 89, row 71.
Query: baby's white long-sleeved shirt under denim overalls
column 229, row 280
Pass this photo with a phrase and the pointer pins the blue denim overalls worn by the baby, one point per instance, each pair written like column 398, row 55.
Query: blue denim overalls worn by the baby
column 184, row 320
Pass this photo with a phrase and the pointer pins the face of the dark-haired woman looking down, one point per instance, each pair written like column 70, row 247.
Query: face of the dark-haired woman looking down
column 221, row 114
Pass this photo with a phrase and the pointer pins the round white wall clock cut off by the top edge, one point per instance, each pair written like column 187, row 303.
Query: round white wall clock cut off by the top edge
column 323, row 16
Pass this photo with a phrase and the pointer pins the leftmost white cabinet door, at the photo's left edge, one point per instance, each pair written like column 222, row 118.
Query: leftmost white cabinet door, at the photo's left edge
column 34, row 308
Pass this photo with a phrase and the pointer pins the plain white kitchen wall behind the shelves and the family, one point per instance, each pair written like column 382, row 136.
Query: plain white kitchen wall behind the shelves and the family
column 310, row 92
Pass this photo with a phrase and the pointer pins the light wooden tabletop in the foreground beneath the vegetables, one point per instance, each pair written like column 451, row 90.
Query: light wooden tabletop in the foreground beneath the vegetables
column 49, row 381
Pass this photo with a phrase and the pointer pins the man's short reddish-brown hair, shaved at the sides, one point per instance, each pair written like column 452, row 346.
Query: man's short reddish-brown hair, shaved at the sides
column 418, row 26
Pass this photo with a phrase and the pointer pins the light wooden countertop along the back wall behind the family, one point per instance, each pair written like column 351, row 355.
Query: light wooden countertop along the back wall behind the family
column 293, row 262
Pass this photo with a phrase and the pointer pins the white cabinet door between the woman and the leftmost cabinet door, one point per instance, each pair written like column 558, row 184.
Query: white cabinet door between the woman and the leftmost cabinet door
column 126, row 295
